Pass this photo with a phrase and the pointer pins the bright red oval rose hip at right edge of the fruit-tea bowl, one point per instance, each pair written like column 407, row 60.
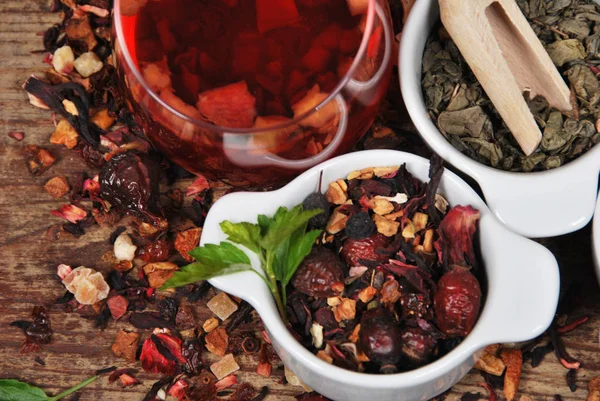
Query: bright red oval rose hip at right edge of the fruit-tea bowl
column 457, row 302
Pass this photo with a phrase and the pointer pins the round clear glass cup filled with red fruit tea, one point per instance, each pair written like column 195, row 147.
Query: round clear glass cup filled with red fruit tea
column 253, row 92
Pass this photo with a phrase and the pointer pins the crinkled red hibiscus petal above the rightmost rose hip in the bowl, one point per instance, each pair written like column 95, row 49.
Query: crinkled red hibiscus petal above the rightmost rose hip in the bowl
column 456, row 236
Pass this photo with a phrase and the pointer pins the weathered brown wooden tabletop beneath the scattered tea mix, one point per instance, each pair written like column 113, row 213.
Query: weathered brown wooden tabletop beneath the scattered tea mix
column 28, row 260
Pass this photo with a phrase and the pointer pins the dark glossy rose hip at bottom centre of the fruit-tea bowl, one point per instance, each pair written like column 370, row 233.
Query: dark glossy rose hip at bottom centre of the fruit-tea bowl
column 380, row 336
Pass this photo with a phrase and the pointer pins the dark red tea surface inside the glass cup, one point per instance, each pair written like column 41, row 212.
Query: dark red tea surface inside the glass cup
column 280, row 48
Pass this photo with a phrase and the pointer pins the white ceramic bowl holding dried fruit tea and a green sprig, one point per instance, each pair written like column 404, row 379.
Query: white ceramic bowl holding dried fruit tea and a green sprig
column 521, row 297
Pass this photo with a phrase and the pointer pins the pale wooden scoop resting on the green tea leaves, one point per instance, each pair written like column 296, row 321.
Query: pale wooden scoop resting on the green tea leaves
column 508, row 59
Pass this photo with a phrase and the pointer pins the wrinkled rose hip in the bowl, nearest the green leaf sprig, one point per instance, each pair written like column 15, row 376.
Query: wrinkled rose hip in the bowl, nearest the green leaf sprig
column 320, row 274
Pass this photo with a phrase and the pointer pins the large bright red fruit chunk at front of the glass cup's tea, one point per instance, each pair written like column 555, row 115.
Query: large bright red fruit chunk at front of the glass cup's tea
column 229, row 106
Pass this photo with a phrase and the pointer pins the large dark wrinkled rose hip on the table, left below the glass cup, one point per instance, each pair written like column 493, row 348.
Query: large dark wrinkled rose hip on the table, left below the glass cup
column 129, row 181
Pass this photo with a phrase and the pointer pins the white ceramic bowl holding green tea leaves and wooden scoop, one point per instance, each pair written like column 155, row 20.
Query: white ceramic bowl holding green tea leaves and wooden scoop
column 540, row 204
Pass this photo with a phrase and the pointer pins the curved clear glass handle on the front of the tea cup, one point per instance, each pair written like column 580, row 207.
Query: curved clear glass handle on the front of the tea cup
column 247, row 160
